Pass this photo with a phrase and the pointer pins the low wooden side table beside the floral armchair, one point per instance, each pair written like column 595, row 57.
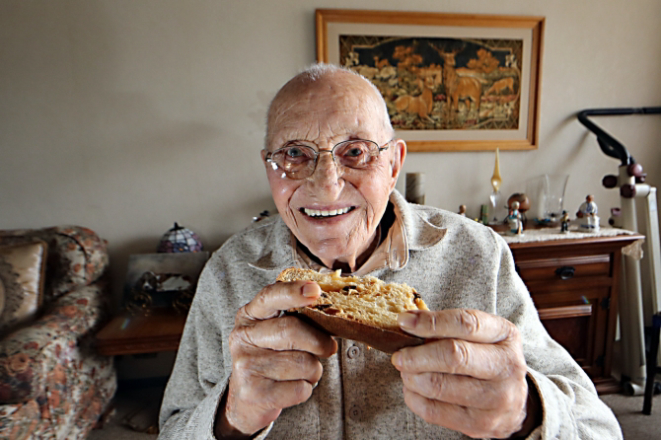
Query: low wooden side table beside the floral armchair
column 138, row 334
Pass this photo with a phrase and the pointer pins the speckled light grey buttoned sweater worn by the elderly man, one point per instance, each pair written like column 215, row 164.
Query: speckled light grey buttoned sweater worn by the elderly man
column 453, row 262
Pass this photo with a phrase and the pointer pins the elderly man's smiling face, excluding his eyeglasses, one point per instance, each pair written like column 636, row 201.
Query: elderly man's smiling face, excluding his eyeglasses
column 330, row 111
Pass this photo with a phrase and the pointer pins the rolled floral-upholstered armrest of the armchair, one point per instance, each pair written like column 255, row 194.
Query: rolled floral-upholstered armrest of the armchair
column 29, row 355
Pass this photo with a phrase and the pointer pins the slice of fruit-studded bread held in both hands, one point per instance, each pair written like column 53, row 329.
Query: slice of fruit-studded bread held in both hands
column 363, row 309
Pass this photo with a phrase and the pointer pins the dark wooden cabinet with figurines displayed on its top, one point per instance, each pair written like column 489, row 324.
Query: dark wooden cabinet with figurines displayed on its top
column 575, row 285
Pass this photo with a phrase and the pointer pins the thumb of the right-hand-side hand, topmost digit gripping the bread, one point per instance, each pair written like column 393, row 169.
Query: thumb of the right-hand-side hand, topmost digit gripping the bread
column 470, row 325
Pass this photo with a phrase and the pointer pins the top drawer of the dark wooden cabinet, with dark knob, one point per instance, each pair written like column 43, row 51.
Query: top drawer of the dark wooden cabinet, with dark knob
column 551, row 269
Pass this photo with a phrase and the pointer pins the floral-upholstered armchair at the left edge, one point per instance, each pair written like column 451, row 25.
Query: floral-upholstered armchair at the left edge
column 52, row 383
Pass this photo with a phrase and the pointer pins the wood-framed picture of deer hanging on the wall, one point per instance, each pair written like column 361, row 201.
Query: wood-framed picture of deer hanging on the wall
column 452, row 82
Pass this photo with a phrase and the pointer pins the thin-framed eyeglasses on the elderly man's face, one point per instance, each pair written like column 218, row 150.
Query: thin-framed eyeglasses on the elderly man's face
column 298, row 160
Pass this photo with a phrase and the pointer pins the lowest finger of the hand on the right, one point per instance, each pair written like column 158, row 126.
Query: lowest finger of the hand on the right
column 474, row 422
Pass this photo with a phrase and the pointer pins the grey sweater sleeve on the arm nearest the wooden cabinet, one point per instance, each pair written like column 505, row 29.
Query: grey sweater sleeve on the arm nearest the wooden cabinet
column 571, row 407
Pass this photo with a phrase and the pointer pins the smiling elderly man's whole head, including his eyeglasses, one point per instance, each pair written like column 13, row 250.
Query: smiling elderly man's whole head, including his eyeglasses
column 334, row 211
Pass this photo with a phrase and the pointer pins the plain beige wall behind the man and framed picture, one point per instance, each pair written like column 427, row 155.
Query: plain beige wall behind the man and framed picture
column 125, row 116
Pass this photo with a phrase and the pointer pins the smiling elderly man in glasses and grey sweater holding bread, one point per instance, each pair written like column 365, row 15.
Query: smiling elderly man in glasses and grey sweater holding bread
column 245, row 369
